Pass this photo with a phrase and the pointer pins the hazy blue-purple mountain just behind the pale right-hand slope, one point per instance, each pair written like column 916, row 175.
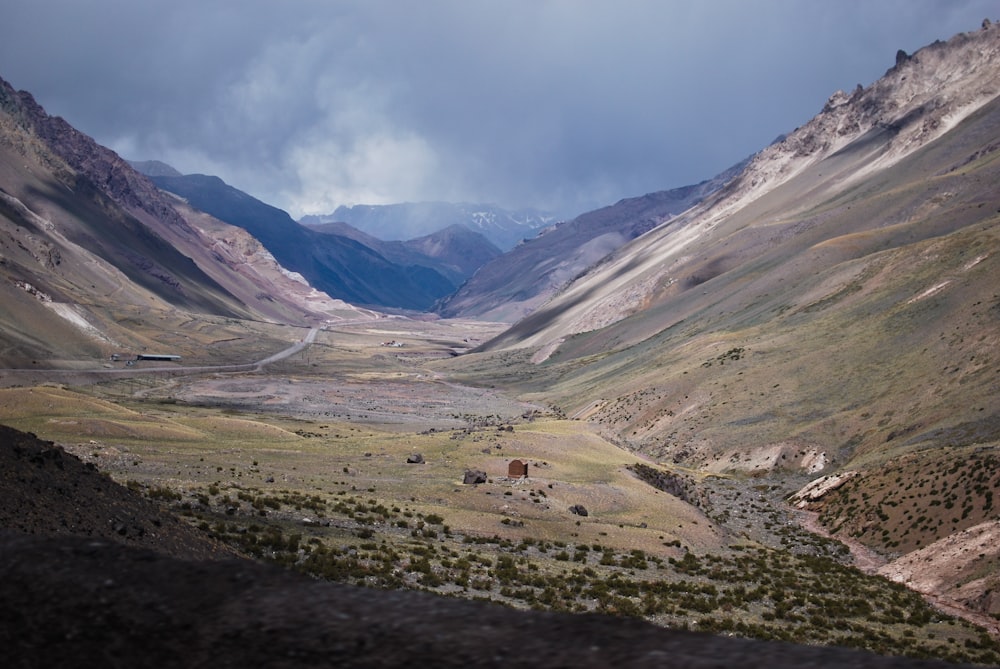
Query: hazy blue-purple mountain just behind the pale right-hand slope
column 518, row 282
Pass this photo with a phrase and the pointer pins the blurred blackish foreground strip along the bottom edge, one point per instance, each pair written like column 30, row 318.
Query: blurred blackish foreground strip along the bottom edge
column 76, row 601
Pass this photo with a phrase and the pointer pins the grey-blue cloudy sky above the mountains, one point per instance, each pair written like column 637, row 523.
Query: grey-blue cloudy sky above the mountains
column 562, row 105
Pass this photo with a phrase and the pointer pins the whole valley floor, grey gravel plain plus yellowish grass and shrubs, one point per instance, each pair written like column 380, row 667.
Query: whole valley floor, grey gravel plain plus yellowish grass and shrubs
column 309, row 462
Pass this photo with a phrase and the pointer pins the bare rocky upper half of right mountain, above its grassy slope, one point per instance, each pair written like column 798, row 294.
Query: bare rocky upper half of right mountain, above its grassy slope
column 844, row 153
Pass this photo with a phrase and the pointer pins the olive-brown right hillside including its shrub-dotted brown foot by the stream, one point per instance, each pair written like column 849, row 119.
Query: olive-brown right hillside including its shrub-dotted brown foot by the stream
column 822, row 328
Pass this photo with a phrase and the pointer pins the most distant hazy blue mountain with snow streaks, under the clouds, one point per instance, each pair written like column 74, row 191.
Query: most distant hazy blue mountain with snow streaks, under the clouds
column 407, row 220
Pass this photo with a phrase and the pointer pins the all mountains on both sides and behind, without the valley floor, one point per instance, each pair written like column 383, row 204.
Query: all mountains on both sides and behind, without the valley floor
column 827, row 312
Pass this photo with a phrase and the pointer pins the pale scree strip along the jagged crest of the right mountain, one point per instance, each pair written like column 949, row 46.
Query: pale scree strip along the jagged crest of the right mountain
column 850, row 127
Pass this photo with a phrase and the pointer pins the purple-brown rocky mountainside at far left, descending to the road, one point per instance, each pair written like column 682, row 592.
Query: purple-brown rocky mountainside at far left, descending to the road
column 88, row 243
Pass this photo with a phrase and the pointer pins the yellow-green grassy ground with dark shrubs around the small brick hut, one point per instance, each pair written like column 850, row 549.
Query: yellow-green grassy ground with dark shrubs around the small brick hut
column 253, row 477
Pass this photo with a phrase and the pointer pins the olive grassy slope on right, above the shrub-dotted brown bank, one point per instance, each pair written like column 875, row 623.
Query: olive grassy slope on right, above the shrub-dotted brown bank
column 849, row 331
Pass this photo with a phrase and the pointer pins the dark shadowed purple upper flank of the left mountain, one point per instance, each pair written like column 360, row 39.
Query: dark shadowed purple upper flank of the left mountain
column 94, row 201
